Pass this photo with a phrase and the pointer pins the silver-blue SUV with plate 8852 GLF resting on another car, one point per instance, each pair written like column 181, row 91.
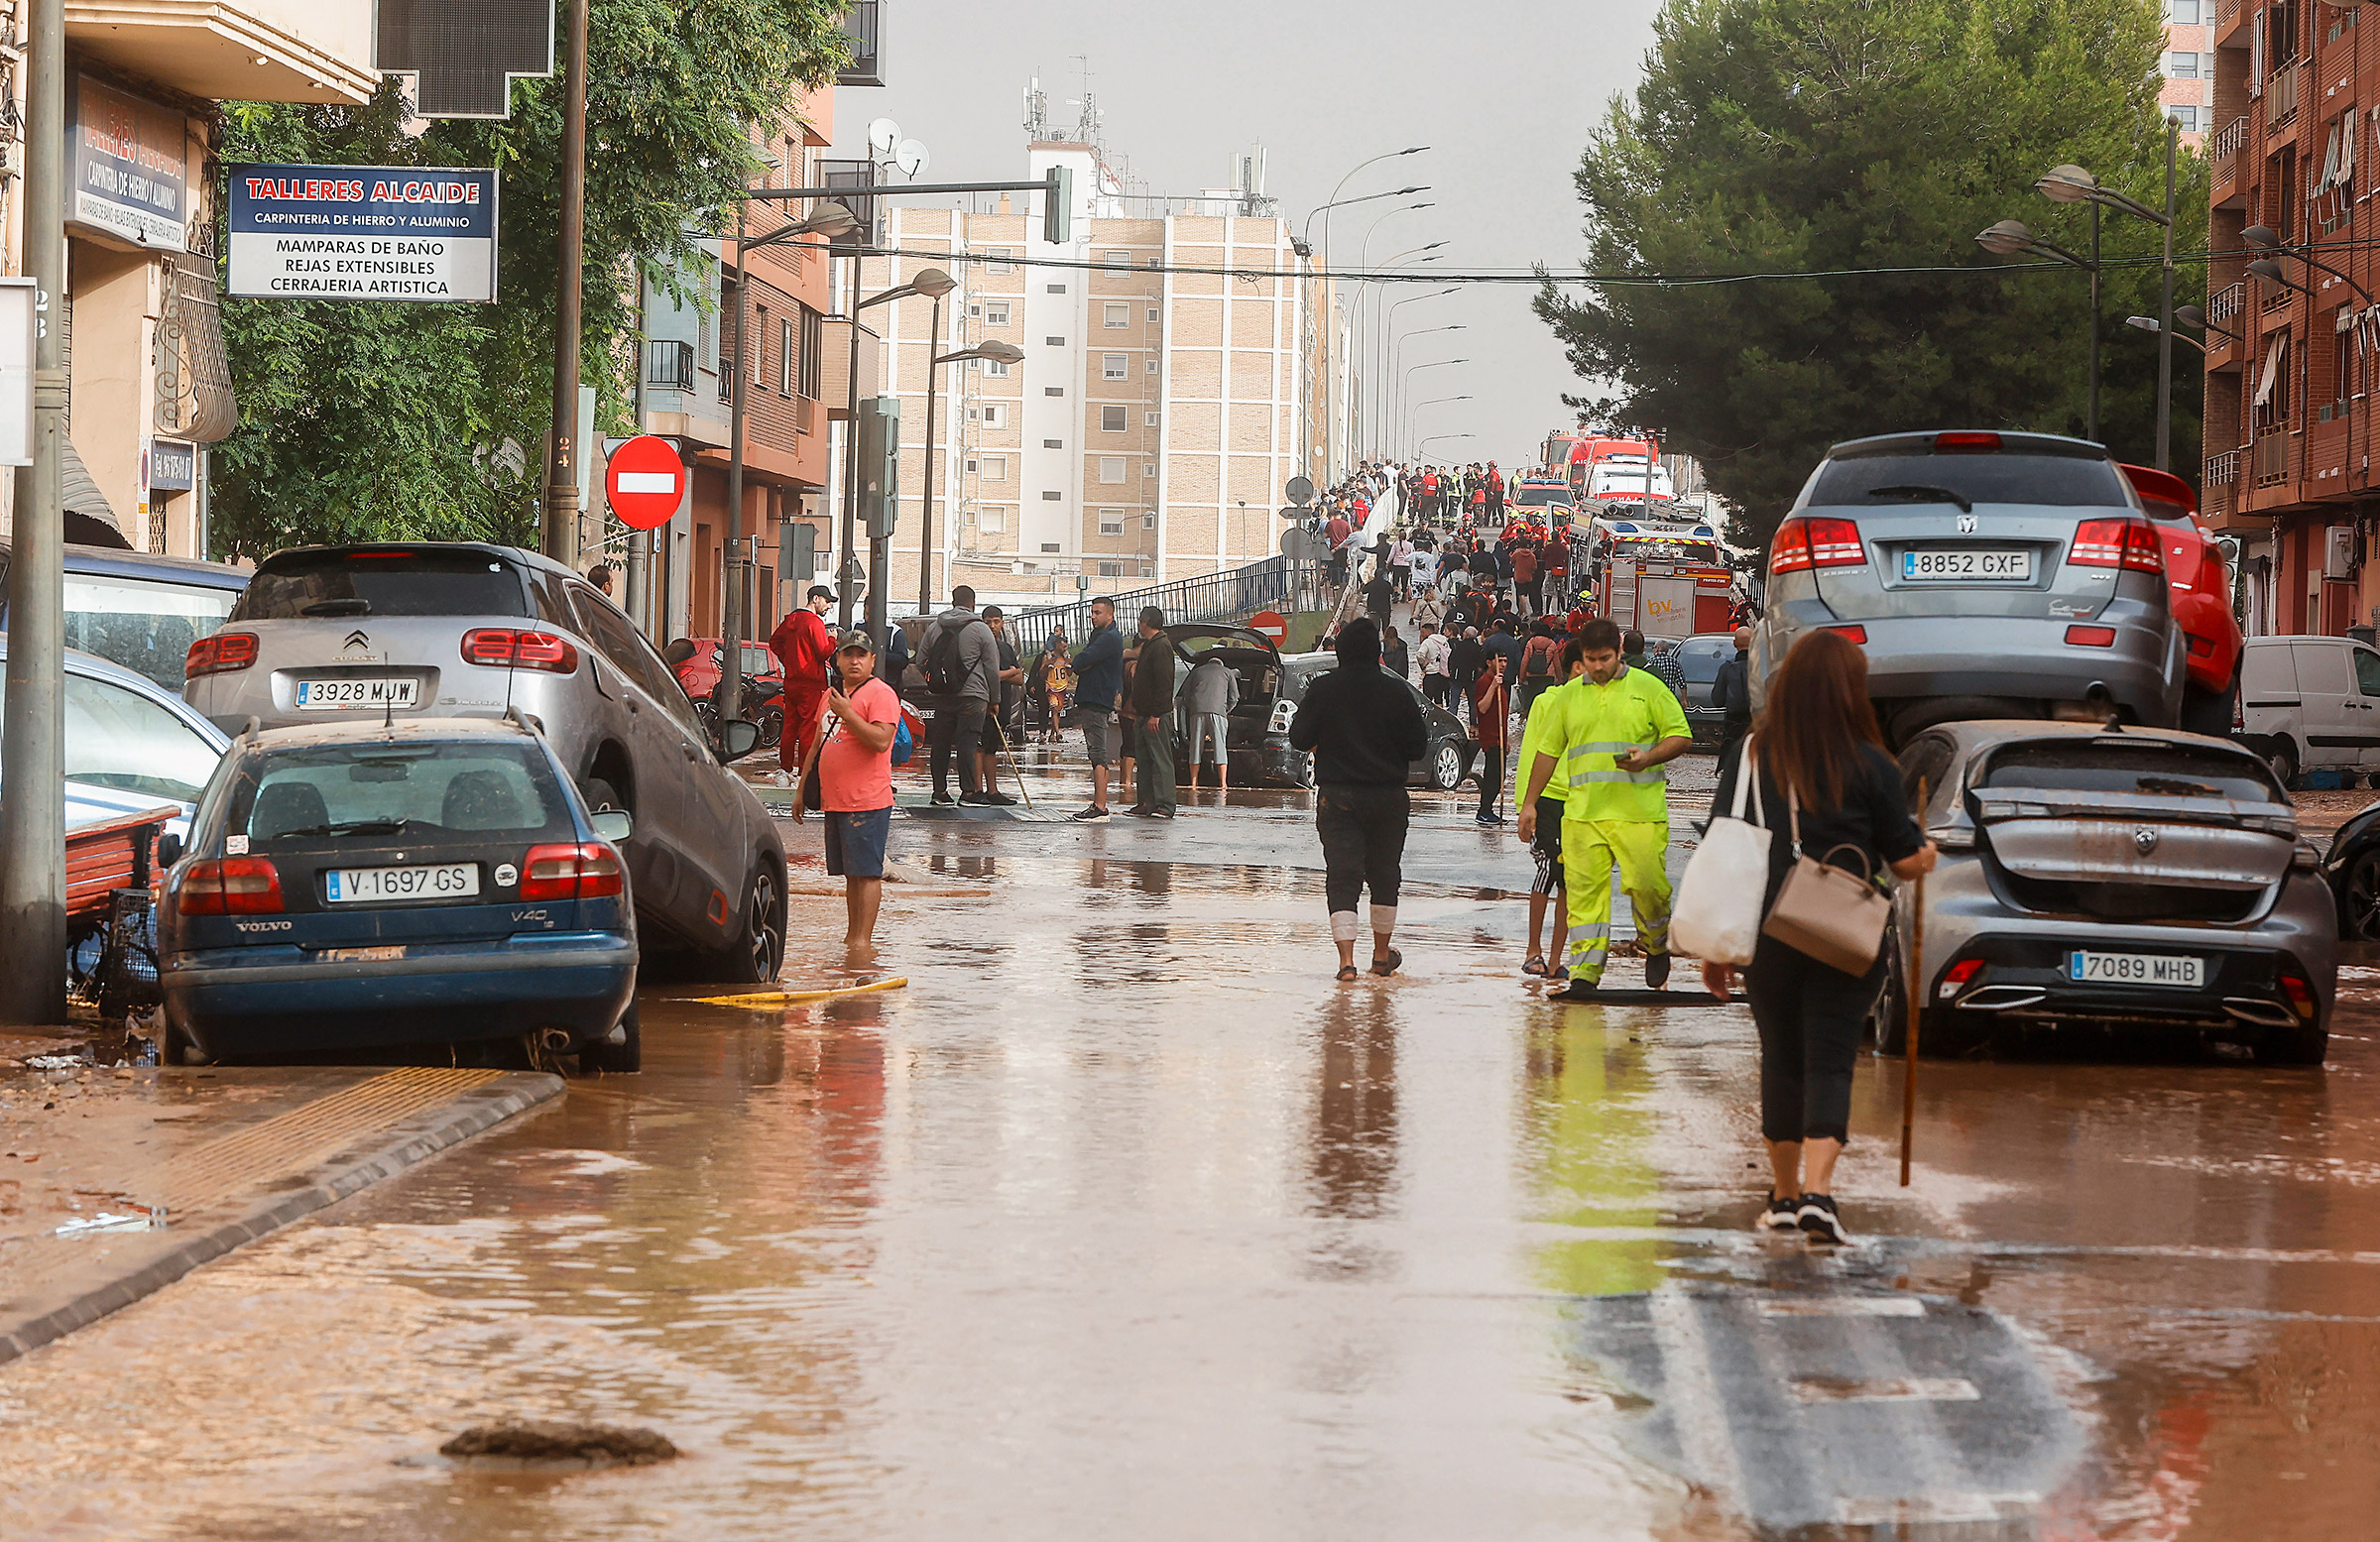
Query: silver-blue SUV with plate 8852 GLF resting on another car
column 1986, row 575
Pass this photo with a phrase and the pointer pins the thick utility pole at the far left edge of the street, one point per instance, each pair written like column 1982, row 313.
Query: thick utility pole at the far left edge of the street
column 35, row 734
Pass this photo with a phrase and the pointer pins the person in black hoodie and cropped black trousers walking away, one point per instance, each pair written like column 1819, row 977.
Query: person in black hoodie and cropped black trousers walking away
column 1365, row 732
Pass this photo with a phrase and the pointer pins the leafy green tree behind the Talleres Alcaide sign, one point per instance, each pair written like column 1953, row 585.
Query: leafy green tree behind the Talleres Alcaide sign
column 377, row 420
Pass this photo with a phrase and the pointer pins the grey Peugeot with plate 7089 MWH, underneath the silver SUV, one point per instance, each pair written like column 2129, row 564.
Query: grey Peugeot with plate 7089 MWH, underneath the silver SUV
column 2110, row 877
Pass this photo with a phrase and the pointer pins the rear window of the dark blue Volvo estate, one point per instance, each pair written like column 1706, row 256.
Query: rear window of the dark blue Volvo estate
column 399, row 789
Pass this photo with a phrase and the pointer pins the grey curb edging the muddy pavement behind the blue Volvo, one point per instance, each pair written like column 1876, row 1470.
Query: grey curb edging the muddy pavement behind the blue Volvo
column 411, row 1141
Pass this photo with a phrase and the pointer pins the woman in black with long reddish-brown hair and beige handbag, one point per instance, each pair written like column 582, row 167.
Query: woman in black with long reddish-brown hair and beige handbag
column 1822, row 763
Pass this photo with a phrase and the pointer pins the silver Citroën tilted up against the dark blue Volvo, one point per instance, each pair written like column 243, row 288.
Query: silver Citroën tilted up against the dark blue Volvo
column 458, row 629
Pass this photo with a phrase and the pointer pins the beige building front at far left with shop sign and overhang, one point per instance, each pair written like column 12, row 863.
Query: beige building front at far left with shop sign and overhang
column 149, row 382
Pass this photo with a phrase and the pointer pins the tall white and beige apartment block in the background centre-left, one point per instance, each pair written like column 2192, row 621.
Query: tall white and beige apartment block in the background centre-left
column 1163, row 403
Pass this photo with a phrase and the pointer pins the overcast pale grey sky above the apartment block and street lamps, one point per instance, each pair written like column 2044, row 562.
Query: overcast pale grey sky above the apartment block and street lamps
column 1501, row 92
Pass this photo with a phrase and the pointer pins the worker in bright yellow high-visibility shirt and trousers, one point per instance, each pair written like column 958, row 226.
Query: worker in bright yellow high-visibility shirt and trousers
column 1615, row 734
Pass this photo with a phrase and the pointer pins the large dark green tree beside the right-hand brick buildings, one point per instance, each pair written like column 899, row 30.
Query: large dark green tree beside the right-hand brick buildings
column 1850, row 134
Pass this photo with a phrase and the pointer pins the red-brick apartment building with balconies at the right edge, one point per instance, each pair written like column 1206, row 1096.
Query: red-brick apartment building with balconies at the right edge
column 2288, row 365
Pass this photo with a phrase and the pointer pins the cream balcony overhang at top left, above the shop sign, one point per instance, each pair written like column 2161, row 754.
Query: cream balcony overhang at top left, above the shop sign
column 234, row 51
